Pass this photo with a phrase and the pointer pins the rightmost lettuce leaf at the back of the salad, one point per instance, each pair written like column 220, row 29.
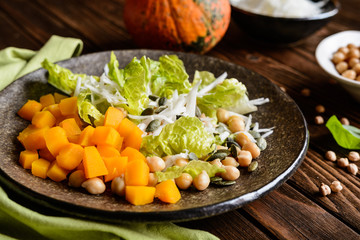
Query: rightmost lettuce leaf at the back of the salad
column 230, row 94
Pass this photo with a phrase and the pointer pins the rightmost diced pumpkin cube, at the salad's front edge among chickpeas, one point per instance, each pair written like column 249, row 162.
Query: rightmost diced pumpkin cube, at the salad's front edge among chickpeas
column 167, row 191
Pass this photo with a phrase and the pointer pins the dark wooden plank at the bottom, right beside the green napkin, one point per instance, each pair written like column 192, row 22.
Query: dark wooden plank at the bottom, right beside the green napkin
column 228, row 226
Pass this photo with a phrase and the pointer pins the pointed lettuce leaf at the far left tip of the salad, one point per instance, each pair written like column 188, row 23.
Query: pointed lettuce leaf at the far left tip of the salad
column 61, row 78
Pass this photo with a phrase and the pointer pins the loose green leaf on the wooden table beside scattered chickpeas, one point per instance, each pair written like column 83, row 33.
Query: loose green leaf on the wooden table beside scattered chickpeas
column 346, row 136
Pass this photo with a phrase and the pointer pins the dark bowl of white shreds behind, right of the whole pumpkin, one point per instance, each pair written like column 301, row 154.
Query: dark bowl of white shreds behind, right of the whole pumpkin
column 268, row 24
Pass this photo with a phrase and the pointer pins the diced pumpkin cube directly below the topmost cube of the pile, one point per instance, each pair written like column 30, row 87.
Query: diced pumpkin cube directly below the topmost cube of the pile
column 107, row 136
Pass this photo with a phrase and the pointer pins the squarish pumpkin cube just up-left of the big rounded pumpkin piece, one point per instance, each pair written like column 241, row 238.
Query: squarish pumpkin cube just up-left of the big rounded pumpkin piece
column 55, row 139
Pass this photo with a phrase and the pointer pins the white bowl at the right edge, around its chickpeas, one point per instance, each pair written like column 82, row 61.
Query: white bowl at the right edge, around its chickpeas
column 324, row 52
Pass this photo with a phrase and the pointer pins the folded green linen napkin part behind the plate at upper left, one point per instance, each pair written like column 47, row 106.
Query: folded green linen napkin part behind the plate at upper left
column 16, row 62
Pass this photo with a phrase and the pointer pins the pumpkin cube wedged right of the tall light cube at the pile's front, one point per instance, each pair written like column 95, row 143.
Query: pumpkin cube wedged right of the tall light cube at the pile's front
column 116, row 167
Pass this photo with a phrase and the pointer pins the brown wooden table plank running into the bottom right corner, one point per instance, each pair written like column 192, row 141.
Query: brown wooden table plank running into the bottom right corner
column 291, row 215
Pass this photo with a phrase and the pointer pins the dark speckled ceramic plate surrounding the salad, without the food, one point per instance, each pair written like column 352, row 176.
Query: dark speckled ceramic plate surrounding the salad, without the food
column 286, row 149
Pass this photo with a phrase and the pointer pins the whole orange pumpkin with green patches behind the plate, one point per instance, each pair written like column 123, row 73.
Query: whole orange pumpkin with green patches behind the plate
column 185, row 25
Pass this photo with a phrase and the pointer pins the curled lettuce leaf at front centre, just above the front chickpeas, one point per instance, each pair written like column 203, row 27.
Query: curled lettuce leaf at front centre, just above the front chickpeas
column 187, row 133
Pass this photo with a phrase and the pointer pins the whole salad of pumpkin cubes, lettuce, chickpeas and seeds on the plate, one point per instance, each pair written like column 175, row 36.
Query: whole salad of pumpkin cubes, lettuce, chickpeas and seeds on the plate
column 144, row 131
